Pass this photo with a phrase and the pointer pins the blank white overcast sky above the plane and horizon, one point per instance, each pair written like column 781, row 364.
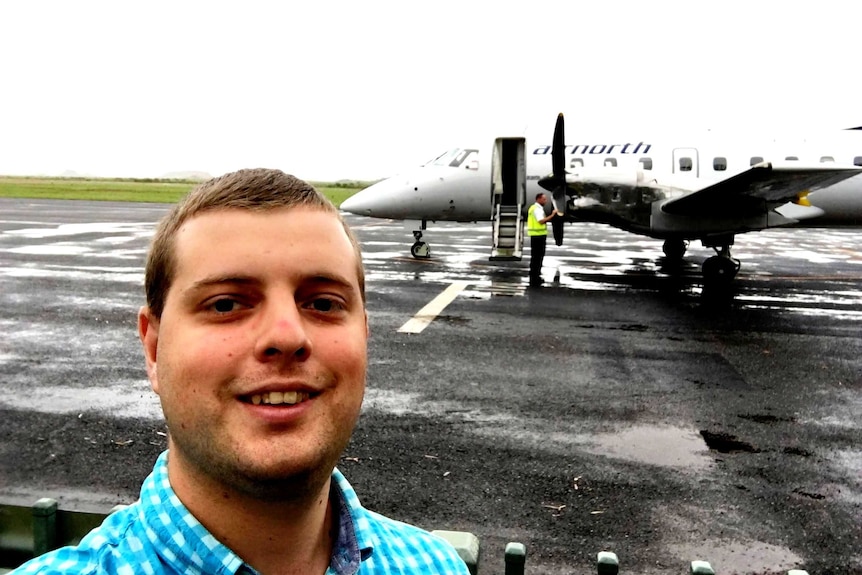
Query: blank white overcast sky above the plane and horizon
column 364, row 89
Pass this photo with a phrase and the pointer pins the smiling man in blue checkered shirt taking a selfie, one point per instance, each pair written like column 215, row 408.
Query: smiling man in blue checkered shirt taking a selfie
column 254, row 336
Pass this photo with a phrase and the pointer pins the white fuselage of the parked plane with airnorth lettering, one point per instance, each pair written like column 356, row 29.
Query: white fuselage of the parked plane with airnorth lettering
column 459, row 190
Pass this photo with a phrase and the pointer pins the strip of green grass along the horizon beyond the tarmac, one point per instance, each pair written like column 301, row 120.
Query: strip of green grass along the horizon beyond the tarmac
column 132, row 190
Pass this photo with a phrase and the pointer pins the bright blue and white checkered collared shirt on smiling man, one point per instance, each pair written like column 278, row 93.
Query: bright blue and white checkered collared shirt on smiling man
column 157, row 534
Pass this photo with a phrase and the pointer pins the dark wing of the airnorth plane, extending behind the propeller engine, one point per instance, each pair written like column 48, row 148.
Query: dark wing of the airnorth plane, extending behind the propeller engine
column 762, row 184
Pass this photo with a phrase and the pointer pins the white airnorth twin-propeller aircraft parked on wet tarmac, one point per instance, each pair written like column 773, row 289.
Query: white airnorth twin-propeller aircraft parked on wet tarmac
column 708, row 188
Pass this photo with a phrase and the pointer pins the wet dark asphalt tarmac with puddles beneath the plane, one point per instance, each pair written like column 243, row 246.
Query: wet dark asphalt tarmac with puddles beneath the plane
column 618, row 408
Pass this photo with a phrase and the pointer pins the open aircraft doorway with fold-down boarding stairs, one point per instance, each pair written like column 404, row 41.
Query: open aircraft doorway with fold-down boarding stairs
column 508, row 195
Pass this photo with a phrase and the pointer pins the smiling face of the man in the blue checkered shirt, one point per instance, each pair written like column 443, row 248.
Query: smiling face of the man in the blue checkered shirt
column 259, row 357
